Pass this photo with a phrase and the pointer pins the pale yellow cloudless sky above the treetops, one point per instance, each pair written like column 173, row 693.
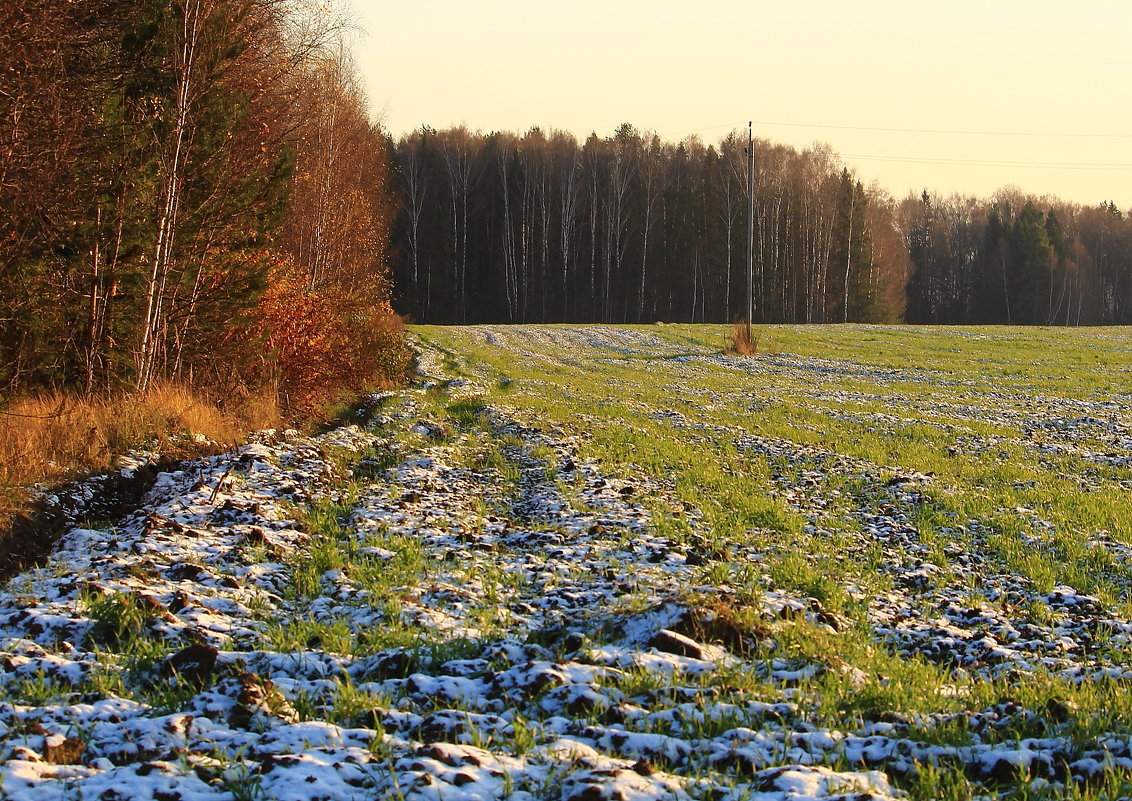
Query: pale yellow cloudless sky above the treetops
column 959, row 97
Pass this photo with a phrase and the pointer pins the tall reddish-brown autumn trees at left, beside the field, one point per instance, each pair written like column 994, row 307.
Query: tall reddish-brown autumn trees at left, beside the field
column 191, row 191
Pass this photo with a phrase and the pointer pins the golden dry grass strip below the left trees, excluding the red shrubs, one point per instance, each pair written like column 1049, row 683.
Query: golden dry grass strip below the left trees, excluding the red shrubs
column 55, row 438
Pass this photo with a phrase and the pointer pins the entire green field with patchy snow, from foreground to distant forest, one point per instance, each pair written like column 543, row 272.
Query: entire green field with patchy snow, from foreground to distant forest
column 598, row 563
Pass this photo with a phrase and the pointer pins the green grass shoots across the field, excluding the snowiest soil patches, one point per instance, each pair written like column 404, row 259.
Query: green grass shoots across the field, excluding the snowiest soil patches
column 994, row 416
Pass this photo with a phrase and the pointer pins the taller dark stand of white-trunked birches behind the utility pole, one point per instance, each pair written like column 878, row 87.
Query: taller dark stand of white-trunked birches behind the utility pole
column 628, row 229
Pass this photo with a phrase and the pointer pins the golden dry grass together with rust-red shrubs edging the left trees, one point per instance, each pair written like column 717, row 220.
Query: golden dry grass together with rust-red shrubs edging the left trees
column 55, row 437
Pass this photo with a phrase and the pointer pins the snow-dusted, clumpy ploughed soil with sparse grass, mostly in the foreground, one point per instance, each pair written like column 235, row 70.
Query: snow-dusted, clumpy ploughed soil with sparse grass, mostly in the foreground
column 517, row 628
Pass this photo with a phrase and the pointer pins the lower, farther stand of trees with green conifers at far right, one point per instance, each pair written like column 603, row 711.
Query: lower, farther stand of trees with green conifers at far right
column 1017, row 260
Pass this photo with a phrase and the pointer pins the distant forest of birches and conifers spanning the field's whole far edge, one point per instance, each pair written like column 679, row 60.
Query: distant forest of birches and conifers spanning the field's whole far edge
column 630, row 229
